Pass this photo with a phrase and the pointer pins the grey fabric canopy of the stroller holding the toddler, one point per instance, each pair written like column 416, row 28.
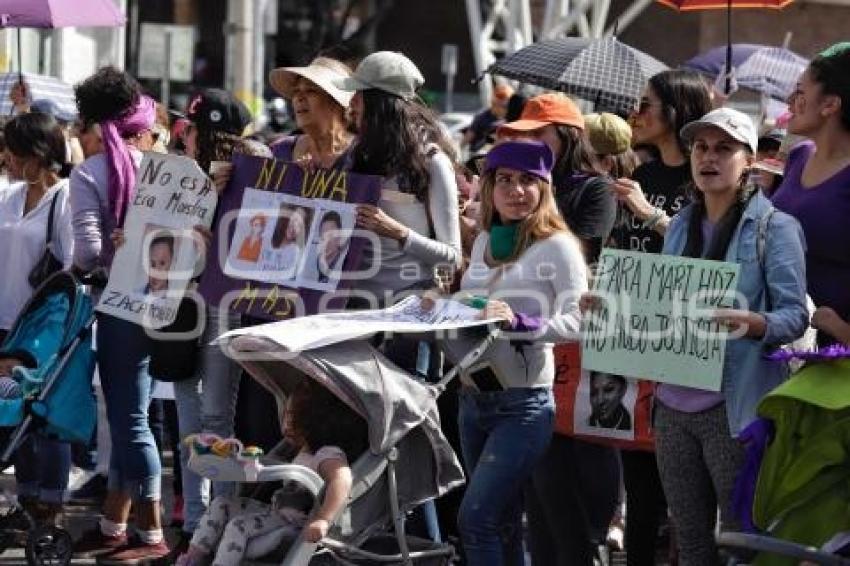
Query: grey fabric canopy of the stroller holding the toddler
column 396, row 406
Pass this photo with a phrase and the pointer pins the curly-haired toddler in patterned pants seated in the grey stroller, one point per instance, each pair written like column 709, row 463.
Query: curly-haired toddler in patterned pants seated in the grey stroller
column 327, row 435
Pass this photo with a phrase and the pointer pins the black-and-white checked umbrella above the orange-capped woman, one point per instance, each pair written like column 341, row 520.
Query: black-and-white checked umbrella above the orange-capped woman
column 606, row 72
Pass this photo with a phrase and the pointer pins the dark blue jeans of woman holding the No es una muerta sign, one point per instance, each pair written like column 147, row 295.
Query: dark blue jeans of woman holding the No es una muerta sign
column 122, row 357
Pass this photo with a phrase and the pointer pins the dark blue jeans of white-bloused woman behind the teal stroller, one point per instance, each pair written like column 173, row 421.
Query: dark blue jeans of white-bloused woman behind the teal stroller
column 41, row 468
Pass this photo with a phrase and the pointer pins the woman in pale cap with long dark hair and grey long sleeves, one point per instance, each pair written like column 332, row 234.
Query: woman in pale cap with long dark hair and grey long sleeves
column 416, row 226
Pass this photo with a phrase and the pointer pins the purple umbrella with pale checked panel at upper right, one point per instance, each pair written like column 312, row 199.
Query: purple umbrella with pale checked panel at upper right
column 772, row 71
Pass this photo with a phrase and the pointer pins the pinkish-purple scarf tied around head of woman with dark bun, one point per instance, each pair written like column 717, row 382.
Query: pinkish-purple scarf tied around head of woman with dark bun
column 122, row 171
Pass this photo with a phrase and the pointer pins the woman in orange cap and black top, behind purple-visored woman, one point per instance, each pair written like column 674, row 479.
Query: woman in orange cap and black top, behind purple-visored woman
column 587, row 206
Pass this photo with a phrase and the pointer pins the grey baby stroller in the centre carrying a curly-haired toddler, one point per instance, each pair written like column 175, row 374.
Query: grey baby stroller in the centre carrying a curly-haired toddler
column 409, row 461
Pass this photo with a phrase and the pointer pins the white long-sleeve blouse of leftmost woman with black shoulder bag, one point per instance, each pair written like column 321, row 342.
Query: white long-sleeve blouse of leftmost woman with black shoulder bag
column 22, row 242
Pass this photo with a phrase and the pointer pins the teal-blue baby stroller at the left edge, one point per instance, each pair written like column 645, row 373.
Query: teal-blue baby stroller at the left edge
column 53, row 335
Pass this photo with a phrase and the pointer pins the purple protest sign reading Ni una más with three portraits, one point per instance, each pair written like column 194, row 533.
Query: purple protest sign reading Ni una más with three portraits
column 283, row 237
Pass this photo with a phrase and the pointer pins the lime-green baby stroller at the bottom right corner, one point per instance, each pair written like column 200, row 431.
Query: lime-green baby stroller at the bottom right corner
column 803, row 486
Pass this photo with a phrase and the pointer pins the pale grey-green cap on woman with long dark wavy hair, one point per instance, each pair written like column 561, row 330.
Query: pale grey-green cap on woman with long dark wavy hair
column 385, row 70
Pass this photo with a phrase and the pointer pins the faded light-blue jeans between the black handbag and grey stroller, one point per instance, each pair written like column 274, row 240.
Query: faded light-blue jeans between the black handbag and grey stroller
column 207, row 403
